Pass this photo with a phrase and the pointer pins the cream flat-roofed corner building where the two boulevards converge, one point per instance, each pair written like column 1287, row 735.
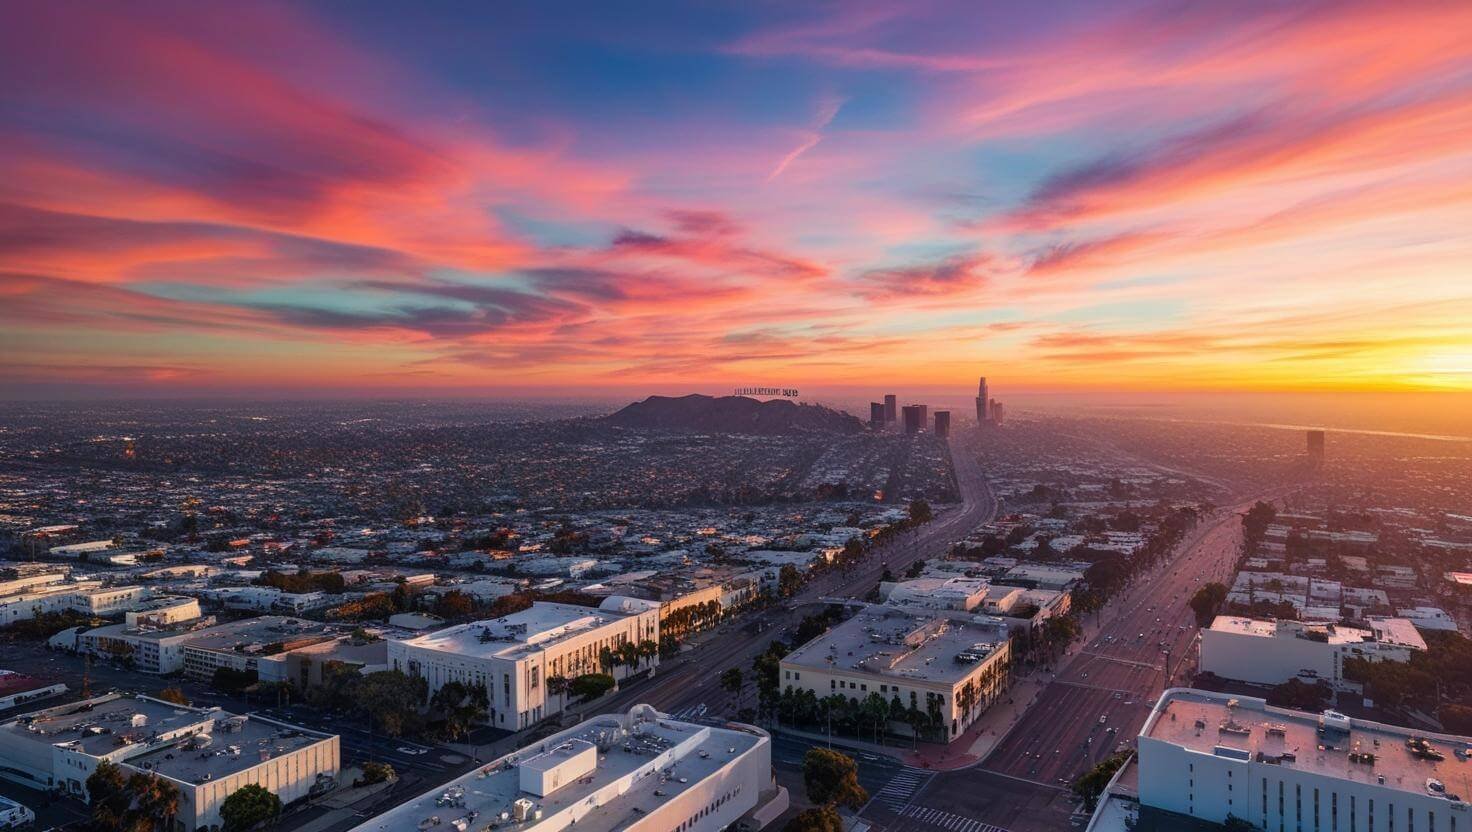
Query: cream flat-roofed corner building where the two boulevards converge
column 949, row 669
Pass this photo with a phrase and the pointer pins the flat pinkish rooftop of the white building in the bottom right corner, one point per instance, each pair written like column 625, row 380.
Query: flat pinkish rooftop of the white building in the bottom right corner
column 1203, row 722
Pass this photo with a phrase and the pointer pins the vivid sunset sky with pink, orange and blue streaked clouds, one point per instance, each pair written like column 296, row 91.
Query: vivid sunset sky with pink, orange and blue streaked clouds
column 491, row 197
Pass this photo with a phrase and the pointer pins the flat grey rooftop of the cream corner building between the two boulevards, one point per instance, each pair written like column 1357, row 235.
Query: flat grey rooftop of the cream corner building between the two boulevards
column 902, row 646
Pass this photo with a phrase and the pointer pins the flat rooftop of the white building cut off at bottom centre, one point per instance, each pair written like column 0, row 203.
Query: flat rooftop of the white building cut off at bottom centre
column 700, row 752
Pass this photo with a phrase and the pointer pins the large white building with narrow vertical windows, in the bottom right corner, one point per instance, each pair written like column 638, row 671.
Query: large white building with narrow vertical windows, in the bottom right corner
column 1214, row 756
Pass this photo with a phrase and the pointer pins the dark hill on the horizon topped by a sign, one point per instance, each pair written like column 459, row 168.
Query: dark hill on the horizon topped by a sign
column 734, row 415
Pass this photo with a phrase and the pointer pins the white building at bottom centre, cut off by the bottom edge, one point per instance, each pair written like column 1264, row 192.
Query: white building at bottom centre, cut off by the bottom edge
column 640, row 772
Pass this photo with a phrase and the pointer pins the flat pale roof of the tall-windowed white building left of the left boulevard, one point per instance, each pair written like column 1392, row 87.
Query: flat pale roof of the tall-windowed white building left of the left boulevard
column 535, row 628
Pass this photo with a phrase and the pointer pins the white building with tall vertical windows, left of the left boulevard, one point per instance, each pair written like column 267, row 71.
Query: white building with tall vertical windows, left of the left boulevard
column 514, row 656
